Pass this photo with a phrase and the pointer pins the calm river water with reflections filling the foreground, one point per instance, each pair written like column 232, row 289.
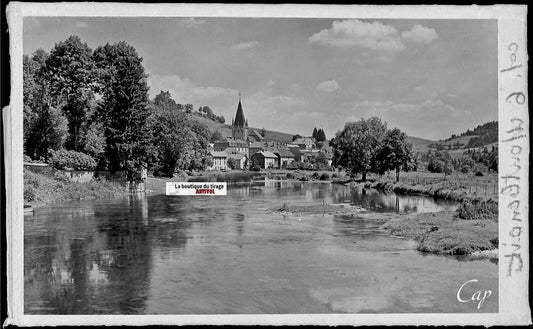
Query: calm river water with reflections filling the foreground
column 159, row 254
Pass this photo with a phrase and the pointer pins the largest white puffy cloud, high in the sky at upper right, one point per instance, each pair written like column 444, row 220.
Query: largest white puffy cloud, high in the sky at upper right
column 375, row 35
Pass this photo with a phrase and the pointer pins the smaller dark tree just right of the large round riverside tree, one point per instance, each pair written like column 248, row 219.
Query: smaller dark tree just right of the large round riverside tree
column 396, row 153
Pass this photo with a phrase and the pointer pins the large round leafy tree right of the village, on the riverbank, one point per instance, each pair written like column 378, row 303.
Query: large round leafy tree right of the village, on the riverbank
column 355, row 147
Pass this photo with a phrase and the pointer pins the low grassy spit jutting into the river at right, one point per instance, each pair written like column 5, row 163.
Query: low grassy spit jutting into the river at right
column 443, row 233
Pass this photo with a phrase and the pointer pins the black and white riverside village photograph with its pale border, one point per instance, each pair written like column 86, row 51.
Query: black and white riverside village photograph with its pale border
column 234, row 164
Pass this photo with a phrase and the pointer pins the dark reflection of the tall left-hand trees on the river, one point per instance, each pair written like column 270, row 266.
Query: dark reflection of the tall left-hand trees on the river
column 101, row 262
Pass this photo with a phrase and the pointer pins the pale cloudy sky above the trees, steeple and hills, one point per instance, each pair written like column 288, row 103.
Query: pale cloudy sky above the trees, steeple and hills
column 430, row 78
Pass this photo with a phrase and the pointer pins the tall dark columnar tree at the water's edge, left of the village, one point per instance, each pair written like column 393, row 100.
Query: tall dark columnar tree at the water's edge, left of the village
column 122, row 82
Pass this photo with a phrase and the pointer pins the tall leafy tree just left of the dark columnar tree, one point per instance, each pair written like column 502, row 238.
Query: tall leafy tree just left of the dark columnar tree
column 71, row 72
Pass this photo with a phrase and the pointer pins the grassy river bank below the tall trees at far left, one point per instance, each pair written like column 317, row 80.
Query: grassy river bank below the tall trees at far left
column 40, row 189
